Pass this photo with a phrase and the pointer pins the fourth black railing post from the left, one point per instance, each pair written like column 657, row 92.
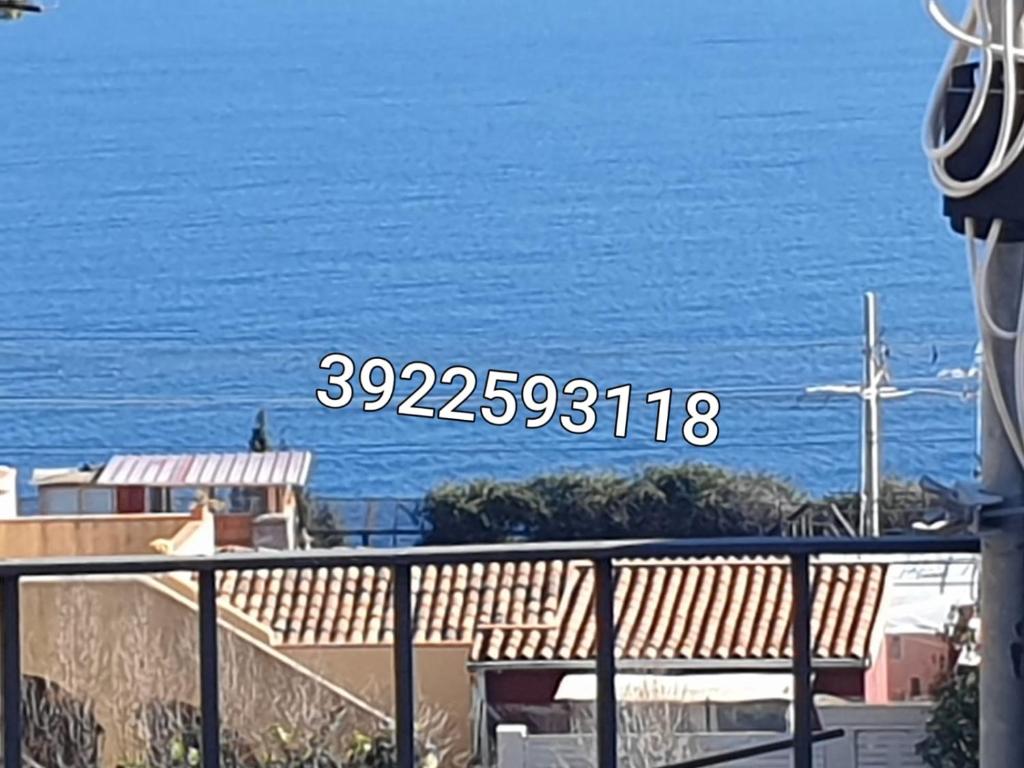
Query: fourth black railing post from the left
column 608, row 709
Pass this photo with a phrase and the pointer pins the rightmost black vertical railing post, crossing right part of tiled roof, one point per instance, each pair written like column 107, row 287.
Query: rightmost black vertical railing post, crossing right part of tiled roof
column 803, row 704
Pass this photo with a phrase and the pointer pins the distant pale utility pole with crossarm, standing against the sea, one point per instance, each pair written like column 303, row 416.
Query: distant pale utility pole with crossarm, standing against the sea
column 873, row 390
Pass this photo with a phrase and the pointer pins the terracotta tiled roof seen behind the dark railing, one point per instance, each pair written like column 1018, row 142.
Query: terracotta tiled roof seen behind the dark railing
column 666, row 610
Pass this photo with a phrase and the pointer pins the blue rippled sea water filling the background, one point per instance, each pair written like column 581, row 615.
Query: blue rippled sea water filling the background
column 199, row 200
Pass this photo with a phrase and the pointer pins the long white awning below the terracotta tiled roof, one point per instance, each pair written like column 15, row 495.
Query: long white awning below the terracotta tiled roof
column 682, row 689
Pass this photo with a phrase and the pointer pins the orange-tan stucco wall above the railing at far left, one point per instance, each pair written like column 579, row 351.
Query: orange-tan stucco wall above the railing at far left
column 97, row 535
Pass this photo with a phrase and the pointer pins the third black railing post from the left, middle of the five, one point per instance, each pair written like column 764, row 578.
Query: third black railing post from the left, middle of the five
column 405, row 680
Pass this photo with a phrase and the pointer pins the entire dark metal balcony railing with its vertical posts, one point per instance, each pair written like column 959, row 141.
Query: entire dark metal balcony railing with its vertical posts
column 603, row 554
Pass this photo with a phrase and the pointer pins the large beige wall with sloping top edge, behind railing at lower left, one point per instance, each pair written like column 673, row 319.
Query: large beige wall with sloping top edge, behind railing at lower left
column 121, row 643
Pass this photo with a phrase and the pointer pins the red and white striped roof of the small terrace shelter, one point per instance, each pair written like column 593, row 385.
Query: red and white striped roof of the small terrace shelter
column 203, row 471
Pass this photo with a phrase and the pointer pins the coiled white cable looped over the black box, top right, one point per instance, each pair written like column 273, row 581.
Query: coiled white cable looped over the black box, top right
column 975, row 33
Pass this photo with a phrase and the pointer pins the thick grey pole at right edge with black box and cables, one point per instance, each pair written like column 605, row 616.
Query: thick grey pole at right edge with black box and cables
column 974, row 142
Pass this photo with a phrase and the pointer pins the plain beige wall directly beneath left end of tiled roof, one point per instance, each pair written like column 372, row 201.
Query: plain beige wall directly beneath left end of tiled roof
column 443, row 681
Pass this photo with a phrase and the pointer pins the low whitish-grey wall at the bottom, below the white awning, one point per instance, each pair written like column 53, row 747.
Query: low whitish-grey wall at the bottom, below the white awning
column 877, row 737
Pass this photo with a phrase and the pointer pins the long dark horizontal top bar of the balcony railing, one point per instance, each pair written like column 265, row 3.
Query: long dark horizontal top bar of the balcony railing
column 534, row 552
